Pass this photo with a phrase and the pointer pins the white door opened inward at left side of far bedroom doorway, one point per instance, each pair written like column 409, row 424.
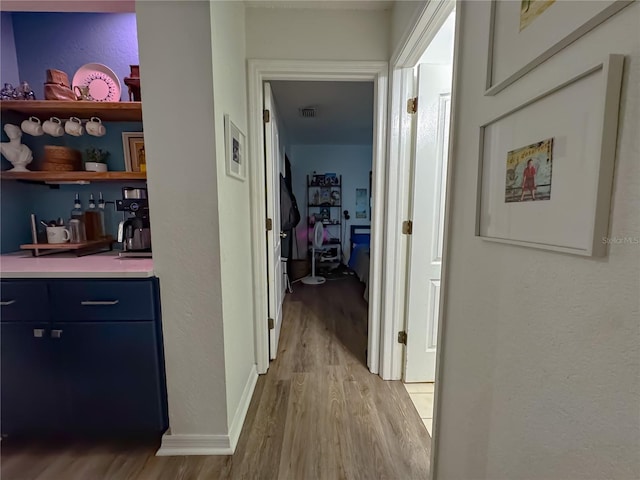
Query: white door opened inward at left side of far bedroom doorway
column 275, row 277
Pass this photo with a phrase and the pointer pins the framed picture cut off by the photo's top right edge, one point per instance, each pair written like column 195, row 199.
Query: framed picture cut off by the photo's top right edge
column 525, row 33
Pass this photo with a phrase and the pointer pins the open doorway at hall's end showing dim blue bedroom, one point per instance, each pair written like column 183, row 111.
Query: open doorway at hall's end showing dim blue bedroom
column 324, row 130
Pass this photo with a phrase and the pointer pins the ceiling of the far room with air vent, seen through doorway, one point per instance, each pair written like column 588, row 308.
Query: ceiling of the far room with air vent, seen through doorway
column 344, row 112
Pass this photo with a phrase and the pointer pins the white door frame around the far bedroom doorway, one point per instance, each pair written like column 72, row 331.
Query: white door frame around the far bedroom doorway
column 260, row 71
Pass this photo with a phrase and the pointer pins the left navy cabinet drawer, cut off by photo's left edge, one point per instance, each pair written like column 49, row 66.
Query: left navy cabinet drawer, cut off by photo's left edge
column 24, row 302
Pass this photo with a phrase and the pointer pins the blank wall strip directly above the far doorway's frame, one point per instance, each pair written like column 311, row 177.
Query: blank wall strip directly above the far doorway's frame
column 308, row 34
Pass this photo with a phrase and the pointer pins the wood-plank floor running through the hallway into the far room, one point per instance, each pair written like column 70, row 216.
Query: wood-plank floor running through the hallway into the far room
column 317, row 414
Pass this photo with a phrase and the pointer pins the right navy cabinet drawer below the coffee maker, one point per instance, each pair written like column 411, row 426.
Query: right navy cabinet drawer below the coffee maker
column 100, row 300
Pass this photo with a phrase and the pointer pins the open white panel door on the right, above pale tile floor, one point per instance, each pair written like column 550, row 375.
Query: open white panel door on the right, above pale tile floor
column 425, row 257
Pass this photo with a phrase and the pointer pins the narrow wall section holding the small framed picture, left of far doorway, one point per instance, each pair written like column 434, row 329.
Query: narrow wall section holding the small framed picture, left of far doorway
column 230, row 97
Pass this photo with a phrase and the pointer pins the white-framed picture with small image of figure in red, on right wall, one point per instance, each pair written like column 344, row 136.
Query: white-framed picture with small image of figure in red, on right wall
column 546, row 167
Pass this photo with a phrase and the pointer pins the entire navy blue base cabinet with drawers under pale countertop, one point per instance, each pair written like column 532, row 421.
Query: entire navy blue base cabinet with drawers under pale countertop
column 92, row 365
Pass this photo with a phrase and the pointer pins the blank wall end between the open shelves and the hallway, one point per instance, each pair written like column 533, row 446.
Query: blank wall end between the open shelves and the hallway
column 180, row 134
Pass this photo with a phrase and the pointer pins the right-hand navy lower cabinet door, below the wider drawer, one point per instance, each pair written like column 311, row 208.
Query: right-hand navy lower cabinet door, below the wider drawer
column 112, row 377
